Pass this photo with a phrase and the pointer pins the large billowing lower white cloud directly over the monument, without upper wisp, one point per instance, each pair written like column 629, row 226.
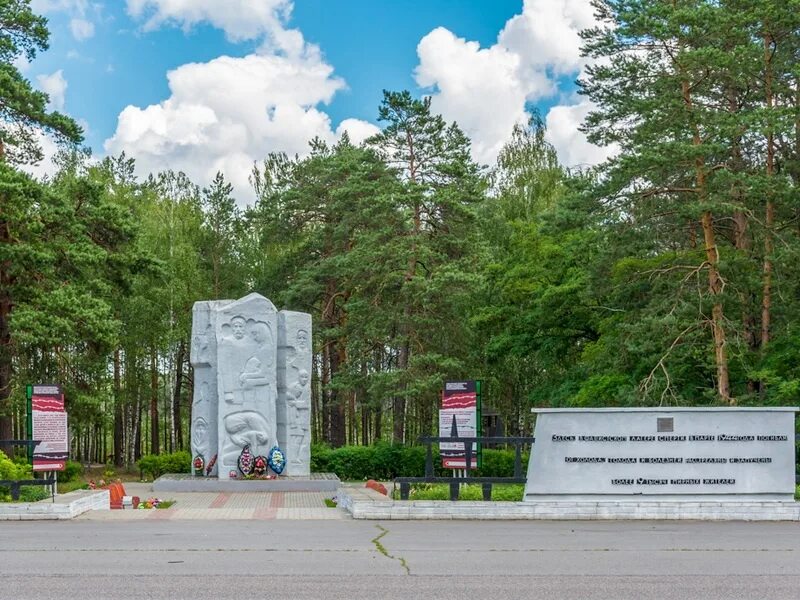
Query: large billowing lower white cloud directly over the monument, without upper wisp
column 228, row 113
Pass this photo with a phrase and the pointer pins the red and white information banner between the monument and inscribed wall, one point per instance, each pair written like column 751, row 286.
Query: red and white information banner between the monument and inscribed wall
column 459, row 415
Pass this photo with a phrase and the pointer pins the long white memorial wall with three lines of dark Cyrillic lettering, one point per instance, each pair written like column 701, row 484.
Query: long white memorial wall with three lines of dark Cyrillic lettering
column 663, row 454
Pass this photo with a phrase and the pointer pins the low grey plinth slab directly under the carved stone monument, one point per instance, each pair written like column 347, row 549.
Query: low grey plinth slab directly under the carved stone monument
column 316, row 482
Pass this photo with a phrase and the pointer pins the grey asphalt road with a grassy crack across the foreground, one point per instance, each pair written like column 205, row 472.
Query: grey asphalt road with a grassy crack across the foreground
column 250, row 560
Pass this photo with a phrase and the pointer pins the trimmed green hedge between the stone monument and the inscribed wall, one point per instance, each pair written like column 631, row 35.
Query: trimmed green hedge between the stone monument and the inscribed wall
column 384, row 462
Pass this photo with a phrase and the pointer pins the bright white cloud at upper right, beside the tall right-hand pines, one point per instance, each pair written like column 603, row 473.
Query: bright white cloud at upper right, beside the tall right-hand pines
column 486, row 90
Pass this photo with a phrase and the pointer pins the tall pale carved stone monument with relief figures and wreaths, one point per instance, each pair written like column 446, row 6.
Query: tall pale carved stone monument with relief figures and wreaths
column 252, row 397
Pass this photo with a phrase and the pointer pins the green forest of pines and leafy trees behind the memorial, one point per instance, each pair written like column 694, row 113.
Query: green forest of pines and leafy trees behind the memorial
column 666, row 276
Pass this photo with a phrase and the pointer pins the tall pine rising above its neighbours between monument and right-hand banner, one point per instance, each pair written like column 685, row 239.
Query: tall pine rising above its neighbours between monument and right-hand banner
column 442, row 186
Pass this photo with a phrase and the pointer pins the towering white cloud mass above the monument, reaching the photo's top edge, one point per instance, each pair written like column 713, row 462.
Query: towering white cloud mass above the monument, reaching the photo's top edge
column 229, row 113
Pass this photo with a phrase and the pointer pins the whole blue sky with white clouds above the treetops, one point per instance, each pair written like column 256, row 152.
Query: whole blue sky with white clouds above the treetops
column 303, row 68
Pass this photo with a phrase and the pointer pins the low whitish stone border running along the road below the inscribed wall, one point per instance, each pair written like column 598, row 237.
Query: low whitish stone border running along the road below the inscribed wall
column 361, row 508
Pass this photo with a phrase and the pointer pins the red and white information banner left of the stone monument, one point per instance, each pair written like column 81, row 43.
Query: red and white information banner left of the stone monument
column 50, row 427
